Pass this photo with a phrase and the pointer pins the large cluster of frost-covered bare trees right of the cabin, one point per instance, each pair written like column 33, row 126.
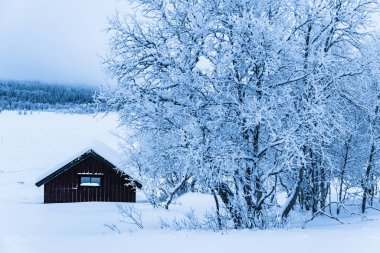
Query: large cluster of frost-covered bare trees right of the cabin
column 251, row 101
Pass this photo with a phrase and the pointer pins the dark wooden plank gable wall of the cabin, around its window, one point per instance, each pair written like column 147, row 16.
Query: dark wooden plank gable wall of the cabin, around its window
column 65, row 187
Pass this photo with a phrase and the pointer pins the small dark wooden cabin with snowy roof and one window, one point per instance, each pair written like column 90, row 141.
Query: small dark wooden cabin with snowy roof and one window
column 92, row 175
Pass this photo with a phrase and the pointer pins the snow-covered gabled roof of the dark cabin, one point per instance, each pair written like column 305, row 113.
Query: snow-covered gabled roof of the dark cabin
column 94, row 146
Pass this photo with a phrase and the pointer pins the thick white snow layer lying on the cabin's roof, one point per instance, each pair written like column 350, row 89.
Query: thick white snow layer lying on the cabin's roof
column 95, row 145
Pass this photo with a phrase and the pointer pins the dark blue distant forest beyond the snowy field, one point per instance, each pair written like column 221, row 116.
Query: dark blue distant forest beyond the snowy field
column 39, row 96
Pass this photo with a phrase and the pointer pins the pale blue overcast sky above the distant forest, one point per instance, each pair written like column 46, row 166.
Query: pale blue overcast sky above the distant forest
column 54, row 40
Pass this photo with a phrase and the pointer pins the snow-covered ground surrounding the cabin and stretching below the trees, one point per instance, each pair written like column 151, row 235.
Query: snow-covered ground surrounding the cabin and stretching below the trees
column 31, row 144
